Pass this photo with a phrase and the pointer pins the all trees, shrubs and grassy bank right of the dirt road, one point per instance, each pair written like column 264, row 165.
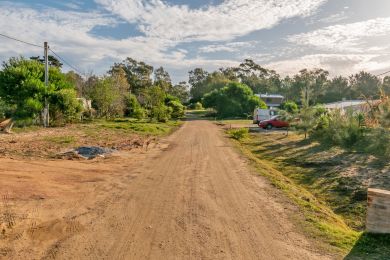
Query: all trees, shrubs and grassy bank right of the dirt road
column 329, row 158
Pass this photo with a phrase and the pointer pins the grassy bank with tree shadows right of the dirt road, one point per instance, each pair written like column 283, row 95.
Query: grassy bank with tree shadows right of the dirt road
column 329, row 185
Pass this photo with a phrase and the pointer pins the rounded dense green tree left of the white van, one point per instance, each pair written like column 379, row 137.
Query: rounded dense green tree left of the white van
column 234, row 100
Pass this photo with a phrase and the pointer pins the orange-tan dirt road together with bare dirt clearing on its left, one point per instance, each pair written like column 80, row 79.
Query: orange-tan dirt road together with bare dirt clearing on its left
column 193, row 198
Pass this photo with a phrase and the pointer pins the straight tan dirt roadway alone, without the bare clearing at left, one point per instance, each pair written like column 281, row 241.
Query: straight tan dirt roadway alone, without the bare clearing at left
column 197, row 199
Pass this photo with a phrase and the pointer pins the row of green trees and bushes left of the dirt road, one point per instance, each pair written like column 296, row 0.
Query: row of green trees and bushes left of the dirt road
column 129, row 88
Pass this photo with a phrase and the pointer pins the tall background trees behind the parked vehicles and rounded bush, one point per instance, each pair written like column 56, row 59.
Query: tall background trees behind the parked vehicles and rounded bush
column 317, row 82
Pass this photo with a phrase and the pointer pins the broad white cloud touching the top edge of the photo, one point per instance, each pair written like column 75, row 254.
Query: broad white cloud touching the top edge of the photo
column 225, row 21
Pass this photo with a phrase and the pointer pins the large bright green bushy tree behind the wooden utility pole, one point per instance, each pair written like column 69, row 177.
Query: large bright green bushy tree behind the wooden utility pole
column 22, row 88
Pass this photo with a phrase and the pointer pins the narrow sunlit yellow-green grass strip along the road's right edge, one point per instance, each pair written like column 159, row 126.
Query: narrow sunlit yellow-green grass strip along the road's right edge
column 319, row 220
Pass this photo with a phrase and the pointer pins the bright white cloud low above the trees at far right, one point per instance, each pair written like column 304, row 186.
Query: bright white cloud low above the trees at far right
column 344, row 48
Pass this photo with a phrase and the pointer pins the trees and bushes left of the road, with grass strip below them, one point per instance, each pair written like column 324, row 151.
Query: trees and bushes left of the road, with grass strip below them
column 131, row 98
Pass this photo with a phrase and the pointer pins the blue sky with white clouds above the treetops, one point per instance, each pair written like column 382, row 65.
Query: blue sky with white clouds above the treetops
column 341, row 36
